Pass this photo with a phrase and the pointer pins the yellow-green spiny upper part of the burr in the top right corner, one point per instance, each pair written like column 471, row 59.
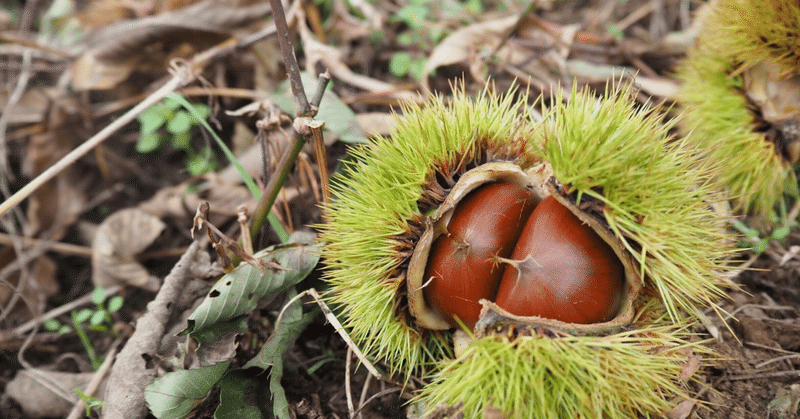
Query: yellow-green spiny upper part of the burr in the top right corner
column 747, row 32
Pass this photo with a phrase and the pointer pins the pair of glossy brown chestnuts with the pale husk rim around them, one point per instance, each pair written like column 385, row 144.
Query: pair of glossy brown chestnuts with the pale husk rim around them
column 507, row 242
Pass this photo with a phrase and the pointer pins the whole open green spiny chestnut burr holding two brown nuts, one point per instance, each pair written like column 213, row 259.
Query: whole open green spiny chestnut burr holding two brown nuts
column 572, row 252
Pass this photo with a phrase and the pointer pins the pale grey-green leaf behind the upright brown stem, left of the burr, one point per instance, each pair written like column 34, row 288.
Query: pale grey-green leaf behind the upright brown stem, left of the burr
column 338, row 117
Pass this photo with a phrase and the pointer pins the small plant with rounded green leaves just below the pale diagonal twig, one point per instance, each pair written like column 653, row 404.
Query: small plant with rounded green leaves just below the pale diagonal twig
column 168, row 122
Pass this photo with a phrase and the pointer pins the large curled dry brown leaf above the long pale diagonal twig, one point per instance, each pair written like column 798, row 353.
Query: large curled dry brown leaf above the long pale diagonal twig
column 116, row 50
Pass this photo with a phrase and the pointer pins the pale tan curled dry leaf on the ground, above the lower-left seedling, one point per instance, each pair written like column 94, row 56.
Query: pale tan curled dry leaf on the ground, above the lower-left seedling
column 122, row 236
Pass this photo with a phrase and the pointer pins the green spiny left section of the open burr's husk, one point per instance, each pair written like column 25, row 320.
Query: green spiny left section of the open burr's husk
column 371, row 227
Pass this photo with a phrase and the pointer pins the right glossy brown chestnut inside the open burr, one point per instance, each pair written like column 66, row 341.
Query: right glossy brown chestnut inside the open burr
column 562, row 270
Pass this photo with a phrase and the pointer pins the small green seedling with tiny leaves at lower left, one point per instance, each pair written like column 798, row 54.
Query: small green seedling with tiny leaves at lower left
column 97, row 319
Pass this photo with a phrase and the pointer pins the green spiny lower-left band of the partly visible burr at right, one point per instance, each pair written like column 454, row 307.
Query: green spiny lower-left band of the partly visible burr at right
column 722, row 122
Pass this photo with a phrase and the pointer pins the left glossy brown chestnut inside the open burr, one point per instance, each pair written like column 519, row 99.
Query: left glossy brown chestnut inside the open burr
column 463, row 265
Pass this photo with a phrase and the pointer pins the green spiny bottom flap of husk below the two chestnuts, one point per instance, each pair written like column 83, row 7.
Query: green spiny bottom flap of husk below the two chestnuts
column 623, row 375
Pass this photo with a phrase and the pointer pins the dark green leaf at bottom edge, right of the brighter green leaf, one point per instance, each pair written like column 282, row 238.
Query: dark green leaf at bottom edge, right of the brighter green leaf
column 242, row 397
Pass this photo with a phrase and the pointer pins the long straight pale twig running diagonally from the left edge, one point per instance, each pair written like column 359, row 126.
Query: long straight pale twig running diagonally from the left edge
column 179, row 79
